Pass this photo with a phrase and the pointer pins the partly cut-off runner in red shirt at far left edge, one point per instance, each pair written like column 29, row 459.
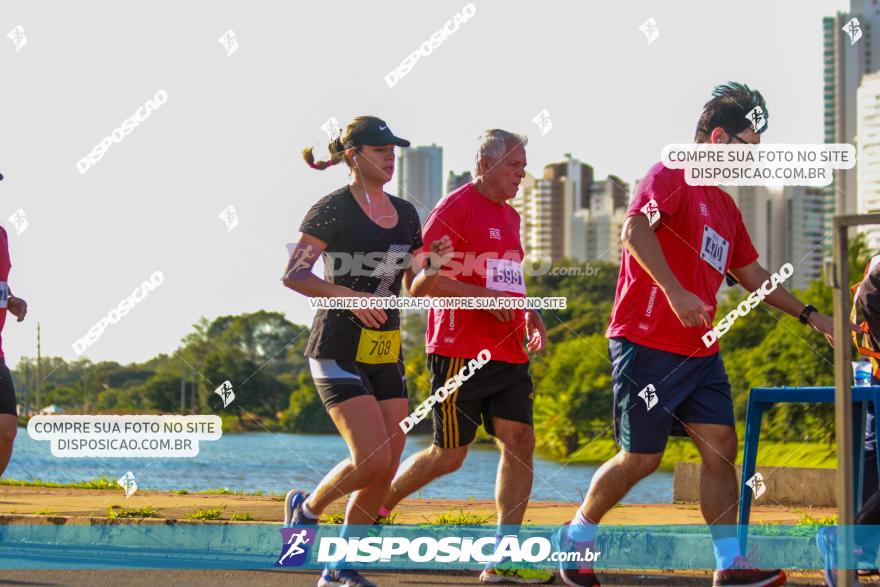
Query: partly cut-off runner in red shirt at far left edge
column 18, row 307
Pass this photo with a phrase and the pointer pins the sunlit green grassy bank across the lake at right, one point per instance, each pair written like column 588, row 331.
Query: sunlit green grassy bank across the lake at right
column 770, row 454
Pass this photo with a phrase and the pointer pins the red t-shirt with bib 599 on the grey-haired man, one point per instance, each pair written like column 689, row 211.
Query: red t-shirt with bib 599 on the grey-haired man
column 485, row 238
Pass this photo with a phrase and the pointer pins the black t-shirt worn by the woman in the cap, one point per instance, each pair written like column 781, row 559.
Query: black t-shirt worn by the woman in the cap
column 362, row 256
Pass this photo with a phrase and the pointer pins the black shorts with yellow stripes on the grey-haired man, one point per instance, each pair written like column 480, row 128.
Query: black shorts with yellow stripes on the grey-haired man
column 496, row 390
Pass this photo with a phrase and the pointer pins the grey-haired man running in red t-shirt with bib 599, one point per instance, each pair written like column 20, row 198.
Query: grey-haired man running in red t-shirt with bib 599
column 485, row 229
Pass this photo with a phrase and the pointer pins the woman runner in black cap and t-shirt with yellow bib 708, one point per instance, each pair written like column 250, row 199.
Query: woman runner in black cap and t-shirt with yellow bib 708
column 367, row 239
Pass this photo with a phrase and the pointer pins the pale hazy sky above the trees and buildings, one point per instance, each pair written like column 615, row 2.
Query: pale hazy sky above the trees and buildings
column 232, row 128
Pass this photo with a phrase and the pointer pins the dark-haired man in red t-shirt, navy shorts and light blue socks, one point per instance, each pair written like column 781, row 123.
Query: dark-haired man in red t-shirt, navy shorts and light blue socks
column 680, row 242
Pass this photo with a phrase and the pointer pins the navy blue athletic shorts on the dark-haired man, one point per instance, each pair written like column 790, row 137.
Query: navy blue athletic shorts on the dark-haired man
column 656, row 393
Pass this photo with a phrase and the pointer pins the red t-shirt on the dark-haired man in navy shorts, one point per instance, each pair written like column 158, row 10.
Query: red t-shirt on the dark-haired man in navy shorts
column 702, row 235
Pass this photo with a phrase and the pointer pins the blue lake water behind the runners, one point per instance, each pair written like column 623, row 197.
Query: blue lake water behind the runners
column 275, row 463
